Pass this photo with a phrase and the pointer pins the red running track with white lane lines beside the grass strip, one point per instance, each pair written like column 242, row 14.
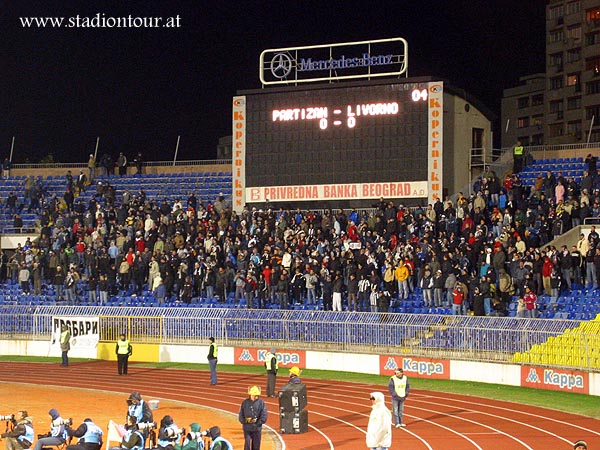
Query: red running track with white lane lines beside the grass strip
column 339, row 411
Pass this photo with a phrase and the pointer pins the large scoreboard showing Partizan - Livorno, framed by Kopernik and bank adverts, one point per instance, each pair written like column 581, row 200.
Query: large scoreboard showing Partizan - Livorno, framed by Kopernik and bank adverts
column 338, row 142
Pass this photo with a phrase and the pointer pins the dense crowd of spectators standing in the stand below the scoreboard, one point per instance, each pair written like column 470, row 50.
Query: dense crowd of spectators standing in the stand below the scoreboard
column 472, row 254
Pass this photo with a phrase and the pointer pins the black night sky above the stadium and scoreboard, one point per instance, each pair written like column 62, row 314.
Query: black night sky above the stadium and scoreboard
column 138, row 89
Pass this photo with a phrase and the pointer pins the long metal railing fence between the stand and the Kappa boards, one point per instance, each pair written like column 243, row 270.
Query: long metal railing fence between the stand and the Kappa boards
column 492, row 339
